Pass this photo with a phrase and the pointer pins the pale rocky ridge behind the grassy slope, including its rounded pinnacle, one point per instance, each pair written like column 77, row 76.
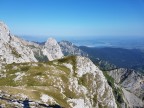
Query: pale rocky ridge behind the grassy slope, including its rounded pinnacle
column 15, row 49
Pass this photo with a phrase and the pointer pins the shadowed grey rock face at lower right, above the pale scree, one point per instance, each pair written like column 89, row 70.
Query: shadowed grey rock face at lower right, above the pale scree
column 130, row 80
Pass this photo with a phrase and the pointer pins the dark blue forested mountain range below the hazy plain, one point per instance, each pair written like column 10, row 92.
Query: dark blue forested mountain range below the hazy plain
column 124, row 58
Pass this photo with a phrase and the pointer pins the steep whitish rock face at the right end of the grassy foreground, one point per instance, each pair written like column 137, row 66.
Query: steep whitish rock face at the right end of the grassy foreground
column 97, row 86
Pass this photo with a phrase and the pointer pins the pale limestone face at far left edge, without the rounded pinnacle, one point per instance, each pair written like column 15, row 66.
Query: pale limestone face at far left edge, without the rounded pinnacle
column 12, row 49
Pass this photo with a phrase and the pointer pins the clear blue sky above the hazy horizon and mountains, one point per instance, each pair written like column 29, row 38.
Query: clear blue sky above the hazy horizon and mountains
column 63, row 18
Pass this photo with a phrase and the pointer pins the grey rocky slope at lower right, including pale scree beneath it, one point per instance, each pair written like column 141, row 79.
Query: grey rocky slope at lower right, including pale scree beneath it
column 132, row 84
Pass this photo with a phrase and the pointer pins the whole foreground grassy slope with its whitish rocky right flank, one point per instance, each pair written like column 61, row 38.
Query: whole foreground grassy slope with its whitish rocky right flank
column 71, row 82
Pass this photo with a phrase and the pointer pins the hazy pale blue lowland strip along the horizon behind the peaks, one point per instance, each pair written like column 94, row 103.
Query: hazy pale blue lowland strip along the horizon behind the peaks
column 126, row 42
